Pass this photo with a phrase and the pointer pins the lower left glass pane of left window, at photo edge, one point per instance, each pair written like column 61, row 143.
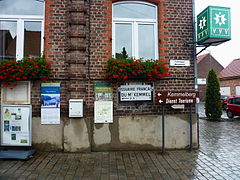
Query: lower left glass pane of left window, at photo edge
column 8, row 38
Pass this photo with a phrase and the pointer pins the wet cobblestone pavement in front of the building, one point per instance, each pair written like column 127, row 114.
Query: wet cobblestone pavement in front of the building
column 217, row 158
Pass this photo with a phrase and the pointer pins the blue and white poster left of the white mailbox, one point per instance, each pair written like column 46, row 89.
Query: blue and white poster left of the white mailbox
column 50, row 103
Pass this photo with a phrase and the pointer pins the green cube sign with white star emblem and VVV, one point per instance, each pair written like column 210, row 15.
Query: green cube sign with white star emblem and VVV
column 214, row 25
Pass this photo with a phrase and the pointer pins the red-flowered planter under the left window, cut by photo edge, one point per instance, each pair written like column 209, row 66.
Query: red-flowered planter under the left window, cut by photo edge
column 12, row 71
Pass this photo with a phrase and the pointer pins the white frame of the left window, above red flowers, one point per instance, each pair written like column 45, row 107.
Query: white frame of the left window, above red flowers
column 20, row 19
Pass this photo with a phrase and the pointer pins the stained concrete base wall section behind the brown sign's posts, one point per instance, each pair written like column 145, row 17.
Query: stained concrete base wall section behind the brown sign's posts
column 145, row 133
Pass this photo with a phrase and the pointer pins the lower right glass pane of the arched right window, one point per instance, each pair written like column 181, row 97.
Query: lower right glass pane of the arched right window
column 146, row 41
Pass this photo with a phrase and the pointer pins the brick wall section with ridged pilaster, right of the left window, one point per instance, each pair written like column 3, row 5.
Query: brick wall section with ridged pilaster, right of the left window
column 66, row 46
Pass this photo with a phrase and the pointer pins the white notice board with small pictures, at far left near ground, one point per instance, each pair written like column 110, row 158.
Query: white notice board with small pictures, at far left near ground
column 16, row 125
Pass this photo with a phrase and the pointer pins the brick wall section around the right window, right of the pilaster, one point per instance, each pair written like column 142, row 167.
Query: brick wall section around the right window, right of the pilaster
column 175, row 27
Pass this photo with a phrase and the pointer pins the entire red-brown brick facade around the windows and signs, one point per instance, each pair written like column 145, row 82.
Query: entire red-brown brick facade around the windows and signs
column 78, row 43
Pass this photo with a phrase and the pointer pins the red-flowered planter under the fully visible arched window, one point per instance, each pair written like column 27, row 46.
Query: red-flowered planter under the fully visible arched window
column 127, row 69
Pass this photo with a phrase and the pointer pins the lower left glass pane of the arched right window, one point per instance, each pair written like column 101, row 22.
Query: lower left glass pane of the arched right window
column 123, row 40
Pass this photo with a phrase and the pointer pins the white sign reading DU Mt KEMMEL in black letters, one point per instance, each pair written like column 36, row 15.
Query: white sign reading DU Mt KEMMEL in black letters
column 135, row 92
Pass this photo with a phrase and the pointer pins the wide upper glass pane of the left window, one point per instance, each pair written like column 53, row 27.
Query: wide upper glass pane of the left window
column 22, row 7
